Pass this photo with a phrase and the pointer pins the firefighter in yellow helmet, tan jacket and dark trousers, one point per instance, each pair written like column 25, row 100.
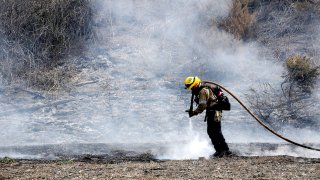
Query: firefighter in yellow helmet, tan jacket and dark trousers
column 207, row 100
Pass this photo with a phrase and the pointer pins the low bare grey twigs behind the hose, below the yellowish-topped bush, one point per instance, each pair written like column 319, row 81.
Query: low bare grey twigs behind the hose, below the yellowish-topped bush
column 275, row 109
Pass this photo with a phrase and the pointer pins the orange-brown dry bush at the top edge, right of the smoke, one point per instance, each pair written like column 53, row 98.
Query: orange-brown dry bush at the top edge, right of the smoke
column 239, row 20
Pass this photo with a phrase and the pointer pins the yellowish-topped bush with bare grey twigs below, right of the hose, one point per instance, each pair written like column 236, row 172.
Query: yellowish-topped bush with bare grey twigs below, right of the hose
column 293, row 105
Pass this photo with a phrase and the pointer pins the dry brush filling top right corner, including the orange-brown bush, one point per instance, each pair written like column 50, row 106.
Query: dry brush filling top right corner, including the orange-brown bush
column 285, row 27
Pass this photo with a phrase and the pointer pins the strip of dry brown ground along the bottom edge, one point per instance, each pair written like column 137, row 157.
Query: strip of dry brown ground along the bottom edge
column 146, row 167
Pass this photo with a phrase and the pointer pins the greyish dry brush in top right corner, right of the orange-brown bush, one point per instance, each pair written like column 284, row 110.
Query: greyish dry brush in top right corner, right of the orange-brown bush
column 288, row 27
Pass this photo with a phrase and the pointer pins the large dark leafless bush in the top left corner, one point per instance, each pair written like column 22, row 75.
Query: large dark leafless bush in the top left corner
column 37, row 35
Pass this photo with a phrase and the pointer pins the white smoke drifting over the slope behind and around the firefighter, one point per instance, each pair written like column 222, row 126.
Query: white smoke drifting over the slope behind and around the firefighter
column 130, row 90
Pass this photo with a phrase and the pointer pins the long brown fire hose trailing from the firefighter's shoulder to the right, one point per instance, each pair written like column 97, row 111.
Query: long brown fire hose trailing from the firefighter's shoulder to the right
column 261, row 122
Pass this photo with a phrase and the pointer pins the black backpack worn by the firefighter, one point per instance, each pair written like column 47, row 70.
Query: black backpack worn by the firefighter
column 223, row 101
